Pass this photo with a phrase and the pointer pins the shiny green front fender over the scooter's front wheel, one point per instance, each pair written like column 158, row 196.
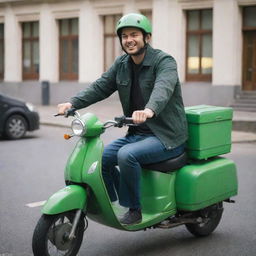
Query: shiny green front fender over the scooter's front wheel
column 67, row 199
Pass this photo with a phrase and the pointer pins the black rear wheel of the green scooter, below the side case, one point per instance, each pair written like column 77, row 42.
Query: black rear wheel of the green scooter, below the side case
column 212, row 216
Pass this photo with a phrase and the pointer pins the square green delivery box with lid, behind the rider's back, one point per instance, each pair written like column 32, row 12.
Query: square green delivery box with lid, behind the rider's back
column 209, row 131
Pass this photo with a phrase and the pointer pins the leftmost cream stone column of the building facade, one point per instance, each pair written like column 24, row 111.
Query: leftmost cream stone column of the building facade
column 13, row 51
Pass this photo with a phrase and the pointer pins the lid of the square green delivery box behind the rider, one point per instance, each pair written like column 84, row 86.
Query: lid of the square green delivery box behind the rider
column 207, row 113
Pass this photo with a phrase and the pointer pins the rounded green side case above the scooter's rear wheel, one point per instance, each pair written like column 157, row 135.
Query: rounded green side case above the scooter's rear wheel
column 203, row 183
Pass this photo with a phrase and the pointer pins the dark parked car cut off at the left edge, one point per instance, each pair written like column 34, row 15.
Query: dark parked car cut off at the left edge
column 16, row 118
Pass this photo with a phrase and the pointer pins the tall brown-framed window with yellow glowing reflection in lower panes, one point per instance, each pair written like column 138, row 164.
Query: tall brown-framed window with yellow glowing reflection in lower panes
column 199, row 45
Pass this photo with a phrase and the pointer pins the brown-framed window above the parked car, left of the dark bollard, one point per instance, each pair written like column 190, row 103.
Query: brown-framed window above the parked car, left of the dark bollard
column 30, row 50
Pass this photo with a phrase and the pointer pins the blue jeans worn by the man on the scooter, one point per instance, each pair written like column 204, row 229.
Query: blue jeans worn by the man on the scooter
column 129, row 153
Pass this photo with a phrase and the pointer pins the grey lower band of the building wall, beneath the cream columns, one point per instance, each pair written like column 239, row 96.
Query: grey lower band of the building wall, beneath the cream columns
column 193, row 93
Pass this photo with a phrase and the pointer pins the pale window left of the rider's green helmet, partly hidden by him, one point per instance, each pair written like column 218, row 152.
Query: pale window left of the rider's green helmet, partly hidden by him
column 112, row 47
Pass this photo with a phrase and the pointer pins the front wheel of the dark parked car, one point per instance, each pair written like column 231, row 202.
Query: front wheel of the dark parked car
column 15, row 127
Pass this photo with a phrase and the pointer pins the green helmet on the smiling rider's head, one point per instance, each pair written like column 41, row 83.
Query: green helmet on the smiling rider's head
column 134, row 20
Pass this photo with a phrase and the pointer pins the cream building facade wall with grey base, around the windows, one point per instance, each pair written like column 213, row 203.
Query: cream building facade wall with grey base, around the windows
column 169, row 34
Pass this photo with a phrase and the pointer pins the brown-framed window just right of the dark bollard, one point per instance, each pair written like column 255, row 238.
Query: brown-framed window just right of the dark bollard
column 69, row 49
